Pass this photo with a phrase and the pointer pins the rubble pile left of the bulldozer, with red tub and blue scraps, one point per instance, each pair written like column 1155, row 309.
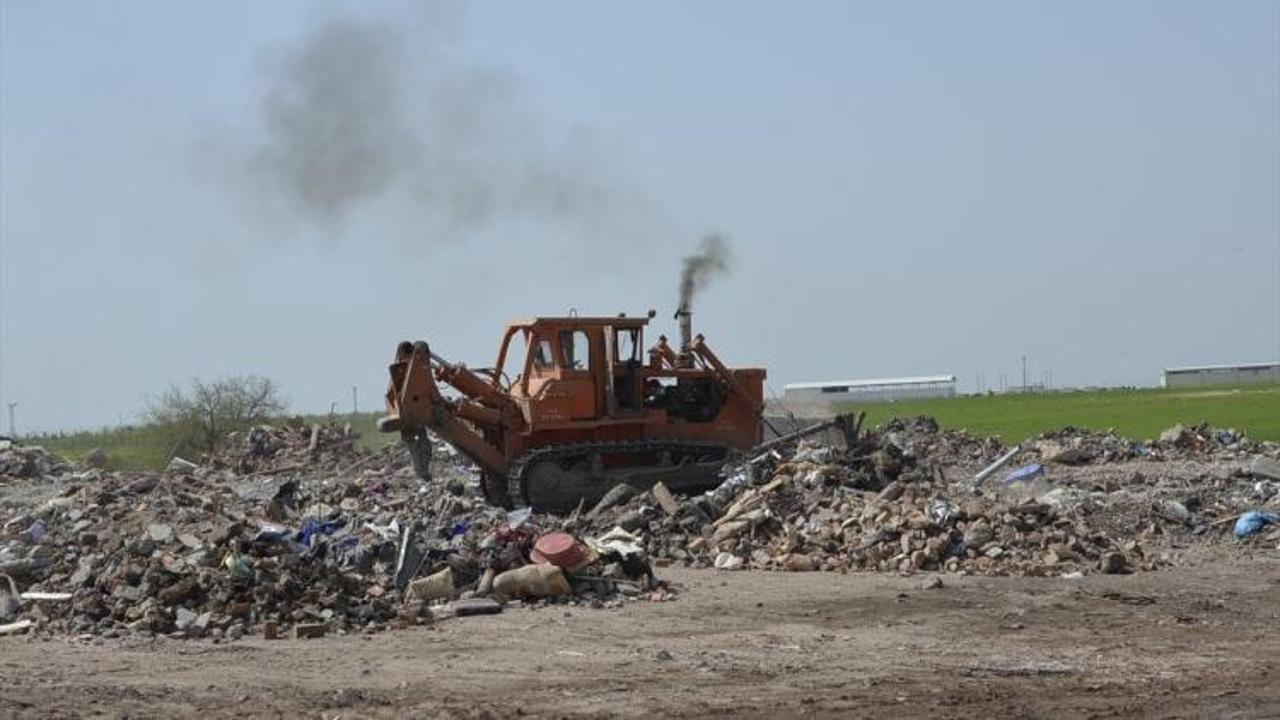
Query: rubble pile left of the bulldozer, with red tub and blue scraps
column 253, row 544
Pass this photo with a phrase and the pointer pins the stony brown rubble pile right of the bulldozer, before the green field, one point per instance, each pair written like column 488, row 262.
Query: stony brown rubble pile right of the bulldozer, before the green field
column 903, row 500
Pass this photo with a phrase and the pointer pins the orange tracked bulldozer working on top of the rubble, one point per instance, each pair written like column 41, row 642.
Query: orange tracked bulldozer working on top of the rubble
column 584, row 412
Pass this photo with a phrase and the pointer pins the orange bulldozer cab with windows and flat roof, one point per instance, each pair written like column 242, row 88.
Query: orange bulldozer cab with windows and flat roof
column 565, row 370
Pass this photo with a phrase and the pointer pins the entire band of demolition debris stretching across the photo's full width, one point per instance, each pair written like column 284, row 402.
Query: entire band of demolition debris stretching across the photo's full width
column 295, row 531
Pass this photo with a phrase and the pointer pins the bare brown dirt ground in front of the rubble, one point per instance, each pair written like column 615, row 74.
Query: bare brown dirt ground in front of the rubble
column 1190, row 642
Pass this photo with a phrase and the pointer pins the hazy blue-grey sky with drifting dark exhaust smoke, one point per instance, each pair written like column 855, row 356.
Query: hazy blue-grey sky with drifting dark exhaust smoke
column 290, row 189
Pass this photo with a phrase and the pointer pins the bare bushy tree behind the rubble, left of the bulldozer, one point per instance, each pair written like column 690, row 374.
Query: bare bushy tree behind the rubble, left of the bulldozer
column 209, row 411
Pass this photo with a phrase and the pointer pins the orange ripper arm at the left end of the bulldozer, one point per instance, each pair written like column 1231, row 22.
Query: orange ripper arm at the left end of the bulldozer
column 415, row 404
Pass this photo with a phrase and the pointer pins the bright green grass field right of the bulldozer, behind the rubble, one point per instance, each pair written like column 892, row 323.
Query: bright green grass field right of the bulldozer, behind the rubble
column 1140, row 414
